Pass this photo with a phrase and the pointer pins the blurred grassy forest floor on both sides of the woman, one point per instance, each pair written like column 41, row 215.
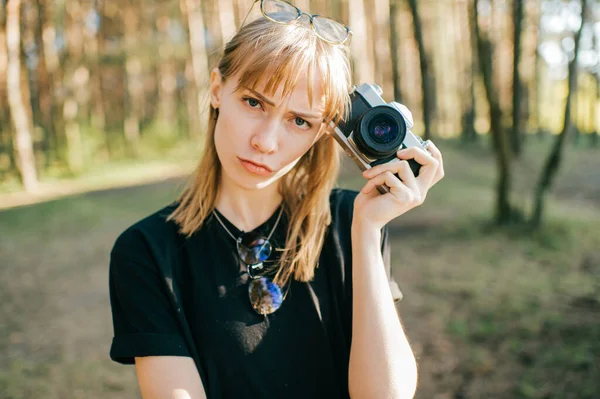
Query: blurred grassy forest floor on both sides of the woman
column 490, row 313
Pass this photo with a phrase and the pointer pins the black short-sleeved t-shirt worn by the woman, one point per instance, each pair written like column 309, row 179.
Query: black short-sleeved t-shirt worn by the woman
column 173, row 296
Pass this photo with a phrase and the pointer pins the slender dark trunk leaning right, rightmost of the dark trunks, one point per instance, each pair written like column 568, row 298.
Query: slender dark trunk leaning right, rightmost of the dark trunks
column 554, row 159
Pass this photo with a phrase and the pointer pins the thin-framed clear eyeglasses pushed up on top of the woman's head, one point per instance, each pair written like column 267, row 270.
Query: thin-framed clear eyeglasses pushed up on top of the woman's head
column 282, row 12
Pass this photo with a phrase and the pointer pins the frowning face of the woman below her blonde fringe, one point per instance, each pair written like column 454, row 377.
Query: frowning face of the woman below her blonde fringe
column 254, row 128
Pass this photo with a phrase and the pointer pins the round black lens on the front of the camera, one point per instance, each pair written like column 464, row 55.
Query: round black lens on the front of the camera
column 381, row 131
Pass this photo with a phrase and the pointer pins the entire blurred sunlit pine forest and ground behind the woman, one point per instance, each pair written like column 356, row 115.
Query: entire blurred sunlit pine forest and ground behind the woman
column 102, row 113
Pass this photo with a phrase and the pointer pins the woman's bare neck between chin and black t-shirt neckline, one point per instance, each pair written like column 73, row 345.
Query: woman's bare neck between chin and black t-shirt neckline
column 247, row 209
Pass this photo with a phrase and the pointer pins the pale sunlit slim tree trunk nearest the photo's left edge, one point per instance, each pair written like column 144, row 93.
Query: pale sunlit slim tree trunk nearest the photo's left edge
column 23, row 141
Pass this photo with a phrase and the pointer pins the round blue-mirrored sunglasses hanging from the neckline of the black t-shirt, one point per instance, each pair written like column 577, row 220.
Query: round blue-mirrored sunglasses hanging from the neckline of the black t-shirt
column 253, row 249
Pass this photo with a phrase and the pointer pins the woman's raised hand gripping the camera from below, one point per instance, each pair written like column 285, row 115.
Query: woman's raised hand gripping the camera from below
column 374, row 209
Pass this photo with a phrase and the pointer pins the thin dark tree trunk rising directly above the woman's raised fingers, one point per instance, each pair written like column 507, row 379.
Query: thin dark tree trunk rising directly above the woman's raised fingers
column 427, row 84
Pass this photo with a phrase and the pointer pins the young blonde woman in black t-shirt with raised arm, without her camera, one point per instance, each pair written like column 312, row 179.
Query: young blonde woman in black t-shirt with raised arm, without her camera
column 263, row 280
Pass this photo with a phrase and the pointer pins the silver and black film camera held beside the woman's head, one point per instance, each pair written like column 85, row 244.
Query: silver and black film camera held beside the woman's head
column 375, row 130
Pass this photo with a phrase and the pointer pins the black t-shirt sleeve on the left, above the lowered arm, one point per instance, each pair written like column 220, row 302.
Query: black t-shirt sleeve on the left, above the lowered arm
column 144, row 321
